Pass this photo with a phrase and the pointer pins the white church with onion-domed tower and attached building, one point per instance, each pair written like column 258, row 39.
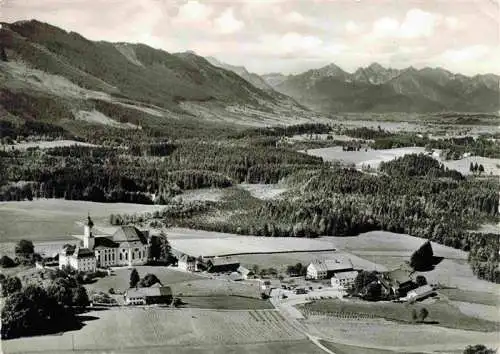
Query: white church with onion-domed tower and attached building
column 128, row 246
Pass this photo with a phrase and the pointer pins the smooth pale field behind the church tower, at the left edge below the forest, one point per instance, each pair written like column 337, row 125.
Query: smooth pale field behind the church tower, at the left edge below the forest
column 54, row 219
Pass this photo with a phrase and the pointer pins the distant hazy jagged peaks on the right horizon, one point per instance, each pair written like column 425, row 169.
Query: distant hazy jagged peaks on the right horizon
column 378, row 89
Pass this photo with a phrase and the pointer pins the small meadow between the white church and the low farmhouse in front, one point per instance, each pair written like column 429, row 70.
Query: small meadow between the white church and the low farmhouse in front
column 120, row 280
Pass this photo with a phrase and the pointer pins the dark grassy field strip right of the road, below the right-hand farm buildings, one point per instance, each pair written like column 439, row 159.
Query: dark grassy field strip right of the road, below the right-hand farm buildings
column 441, row 313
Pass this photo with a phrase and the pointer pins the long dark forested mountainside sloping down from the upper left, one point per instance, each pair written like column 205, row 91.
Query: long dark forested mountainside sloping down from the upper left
column 52, row 76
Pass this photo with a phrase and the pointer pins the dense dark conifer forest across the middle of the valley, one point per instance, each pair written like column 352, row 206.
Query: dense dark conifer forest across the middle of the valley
column 414, row 194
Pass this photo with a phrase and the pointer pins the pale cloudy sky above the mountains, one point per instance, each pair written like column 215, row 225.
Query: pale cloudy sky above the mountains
column 290, row 36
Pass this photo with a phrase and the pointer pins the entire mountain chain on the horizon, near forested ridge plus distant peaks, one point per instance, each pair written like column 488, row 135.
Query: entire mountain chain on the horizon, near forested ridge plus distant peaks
column 51, row 75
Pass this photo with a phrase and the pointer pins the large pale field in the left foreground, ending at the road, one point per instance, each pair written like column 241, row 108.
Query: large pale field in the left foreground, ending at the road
column 122, row 329
